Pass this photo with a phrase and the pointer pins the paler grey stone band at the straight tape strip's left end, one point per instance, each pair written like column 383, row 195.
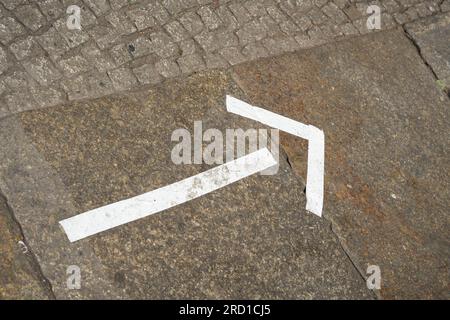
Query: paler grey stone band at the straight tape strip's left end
column 35, row 193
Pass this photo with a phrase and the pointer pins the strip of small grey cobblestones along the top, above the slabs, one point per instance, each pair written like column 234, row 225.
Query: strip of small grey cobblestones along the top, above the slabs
column 131, row 44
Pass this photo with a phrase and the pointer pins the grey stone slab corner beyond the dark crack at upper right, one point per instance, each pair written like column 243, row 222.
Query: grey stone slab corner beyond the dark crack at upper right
column 432, row 36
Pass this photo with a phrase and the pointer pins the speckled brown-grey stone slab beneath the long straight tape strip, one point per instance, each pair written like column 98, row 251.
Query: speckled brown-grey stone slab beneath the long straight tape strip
column 252, row 239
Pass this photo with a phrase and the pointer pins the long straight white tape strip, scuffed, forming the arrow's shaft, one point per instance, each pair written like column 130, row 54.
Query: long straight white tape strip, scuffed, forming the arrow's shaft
column 116, row 214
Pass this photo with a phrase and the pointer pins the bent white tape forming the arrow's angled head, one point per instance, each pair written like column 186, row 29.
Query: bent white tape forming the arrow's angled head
column 316, row 146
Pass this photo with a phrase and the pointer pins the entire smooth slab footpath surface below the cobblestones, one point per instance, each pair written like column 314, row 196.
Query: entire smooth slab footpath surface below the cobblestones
column 380, row 100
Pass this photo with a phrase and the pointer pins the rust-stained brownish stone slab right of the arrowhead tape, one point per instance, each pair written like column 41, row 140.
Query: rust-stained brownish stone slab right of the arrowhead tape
column 387, row 167
